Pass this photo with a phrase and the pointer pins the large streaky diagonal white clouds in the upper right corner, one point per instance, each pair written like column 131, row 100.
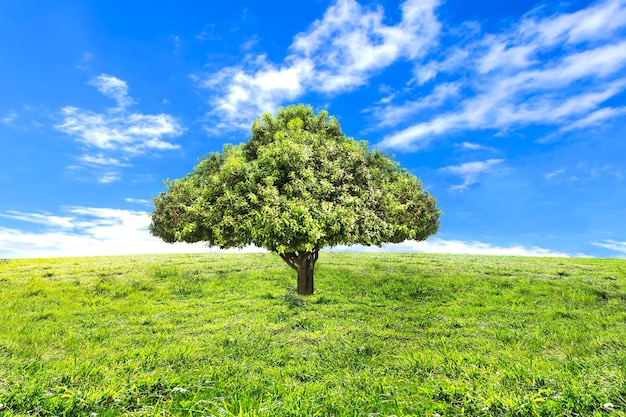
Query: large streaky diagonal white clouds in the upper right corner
column 557, row 70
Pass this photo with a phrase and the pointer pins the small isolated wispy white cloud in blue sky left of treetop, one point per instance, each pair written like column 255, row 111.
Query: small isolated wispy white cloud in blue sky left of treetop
column 119, row 133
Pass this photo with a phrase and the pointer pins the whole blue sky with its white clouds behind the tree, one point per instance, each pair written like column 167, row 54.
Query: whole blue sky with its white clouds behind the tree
column 512, row 113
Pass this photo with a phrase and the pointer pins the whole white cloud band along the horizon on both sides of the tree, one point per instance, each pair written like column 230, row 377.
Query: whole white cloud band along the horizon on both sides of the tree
column 89, row 231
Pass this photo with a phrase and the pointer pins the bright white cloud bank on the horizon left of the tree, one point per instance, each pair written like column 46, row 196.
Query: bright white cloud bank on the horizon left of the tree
column 86, row 231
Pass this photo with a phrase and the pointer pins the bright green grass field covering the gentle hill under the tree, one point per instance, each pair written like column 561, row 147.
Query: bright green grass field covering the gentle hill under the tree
column 384, row 334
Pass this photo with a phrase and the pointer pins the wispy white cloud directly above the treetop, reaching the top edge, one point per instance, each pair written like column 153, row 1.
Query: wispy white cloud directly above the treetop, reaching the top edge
column 341, row 51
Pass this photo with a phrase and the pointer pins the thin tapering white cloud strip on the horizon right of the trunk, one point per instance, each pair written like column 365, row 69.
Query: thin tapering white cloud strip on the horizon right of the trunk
column 437, row 245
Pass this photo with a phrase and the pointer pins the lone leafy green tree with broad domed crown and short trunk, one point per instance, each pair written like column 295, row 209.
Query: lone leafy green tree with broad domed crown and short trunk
column 298, row 185
